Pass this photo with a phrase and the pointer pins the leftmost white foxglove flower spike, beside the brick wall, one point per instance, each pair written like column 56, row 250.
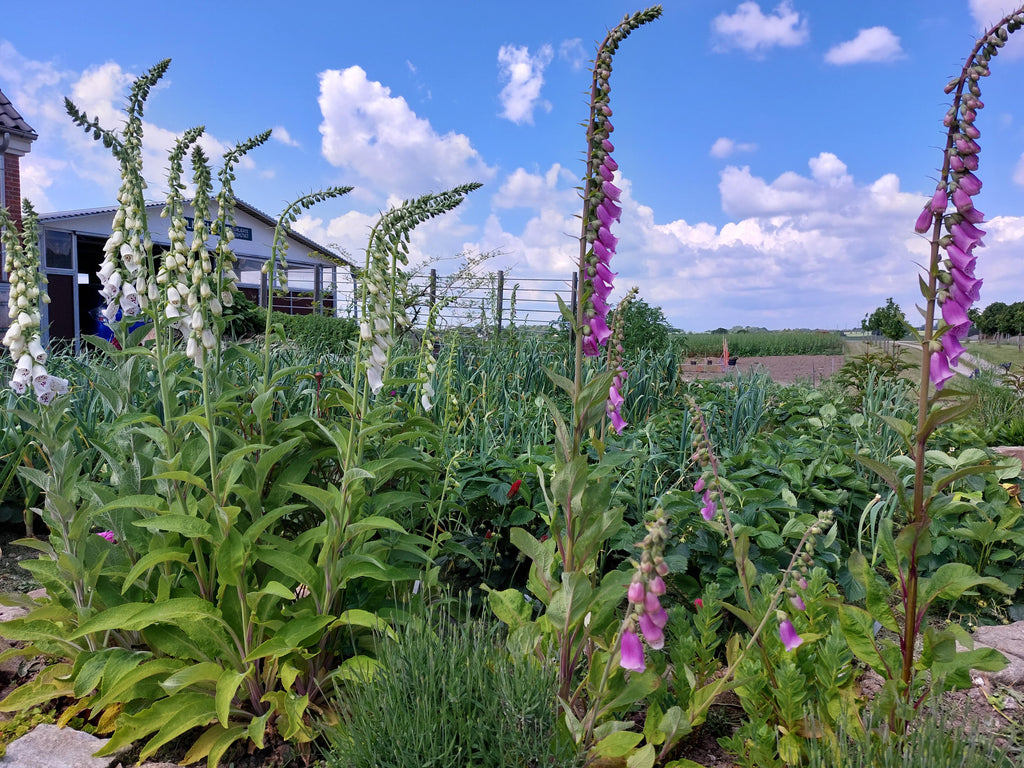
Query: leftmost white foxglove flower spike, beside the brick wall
column 28, row 293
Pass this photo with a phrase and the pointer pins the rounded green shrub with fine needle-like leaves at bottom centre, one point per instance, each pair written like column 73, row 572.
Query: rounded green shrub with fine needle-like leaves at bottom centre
column 446, row 694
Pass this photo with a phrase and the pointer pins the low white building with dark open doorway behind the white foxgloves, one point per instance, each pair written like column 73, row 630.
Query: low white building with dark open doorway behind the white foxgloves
column 72, row 249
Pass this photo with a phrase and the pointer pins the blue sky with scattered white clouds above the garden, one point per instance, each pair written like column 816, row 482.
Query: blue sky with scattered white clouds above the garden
column 774, row 156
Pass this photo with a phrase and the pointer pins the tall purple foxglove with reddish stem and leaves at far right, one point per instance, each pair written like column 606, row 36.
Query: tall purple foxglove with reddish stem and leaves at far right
column 950, row 288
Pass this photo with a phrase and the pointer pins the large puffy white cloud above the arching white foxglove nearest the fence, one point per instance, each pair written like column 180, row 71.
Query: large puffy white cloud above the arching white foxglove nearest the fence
column 378, row 137
